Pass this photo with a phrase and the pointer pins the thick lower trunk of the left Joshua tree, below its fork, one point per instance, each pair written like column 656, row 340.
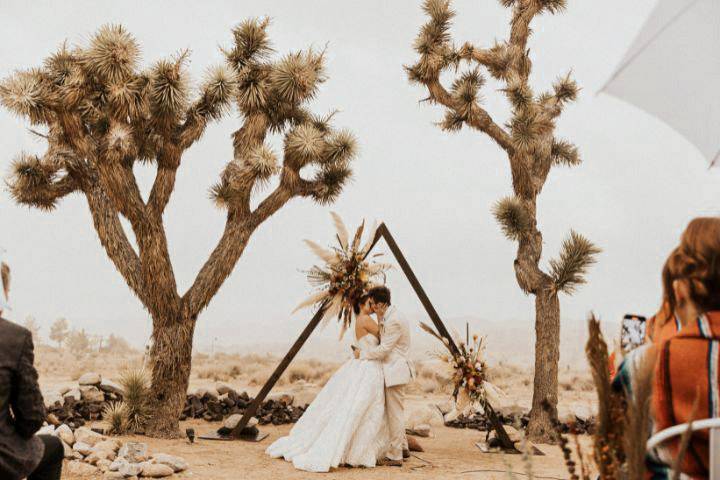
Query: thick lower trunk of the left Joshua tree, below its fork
column 171, row 359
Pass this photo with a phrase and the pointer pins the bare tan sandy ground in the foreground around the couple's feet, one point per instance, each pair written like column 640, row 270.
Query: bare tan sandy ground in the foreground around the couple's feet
column 450, row 453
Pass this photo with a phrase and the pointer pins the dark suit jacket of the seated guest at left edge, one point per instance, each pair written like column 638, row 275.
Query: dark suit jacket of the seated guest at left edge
column 22, row 410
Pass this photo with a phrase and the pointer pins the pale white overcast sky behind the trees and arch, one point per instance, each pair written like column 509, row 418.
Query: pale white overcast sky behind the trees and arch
column 639, row 185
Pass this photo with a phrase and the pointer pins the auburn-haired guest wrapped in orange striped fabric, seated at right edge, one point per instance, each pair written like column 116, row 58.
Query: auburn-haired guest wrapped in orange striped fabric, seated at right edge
column 688, row 362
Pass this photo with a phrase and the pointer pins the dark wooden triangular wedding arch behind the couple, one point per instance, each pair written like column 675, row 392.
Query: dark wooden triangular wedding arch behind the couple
column 381, row 233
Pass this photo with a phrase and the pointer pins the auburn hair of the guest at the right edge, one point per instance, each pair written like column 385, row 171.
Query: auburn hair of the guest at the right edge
column 696, row 263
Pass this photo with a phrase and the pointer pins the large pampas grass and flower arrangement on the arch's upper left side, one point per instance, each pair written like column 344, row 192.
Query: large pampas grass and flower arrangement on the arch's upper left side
column 346, row 274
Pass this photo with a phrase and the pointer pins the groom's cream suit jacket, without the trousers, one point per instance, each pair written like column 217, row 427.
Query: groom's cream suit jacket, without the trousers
column 393, row 350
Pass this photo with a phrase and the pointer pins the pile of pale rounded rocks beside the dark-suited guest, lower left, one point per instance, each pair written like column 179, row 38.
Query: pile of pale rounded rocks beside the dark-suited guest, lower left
column 91, row 453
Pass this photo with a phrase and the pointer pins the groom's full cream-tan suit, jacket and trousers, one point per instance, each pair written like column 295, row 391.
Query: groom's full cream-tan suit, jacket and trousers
column 398, row 371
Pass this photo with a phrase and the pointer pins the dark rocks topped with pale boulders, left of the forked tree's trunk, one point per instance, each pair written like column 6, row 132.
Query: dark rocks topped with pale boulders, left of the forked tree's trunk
column 77, row 405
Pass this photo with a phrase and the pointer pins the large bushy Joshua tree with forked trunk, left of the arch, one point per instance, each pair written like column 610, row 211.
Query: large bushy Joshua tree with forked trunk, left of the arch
column 103, row 115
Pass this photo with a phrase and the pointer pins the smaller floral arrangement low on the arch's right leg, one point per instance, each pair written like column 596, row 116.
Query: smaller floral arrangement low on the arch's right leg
column 467, row 366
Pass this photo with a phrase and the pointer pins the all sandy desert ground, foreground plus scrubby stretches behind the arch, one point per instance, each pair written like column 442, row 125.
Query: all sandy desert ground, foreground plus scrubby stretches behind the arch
column 449, row 453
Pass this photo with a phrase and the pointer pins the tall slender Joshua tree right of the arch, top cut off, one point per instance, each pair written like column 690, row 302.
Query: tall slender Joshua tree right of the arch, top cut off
column 532, row 149
